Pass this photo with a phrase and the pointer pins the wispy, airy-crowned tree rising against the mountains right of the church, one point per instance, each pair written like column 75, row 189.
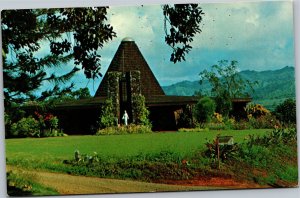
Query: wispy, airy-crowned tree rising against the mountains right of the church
column 226, row 84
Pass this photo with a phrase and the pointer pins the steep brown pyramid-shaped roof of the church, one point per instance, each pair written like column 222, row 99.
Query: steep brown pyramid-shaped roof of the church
column 127, row 58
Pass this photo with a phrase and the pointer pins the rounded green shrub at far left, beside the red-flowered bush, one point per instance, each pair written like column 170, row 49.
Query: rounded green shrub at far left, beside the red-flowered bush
column 26, row 127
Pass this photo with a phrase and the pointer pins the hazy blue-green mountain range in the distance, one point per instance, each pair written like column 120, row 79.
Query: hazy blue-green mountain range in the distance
column 274, row 86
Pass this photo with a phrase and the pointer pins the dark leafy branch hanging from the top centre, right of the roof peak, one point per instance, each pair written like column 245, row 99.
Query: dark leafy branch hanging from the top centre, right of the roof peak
column 184, row 21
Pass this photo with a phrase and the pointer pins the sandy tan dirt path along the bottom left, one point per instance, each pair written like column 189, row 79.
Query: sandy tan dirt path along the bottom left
column 67, row 184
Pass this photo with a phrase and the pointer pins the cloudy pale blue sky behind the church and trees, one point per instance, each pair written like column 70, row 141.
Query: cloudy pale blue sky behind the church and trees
column 259, row 35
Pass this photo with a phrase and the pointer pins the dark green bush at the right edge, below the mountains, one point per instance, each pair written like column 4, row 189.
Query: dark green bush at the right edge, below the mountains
column 286, row 111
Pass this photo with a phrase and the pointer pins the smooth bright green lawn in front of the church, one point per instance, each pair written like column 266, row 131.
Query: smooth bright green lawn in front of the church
column 60, row 148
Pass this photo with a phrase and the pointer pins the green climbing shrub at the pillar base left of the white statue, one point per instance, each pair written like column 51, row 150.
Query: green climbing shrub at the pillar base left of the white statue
column 107, row 117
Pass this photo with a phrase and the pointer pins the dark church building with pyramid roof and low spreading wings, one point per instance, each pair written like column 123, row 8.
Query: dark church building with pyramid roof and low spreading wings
column 128, row 74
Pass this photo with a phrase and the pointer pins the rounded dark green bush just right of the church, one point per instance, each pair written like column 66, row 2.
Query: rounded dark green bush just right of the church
column 204, row 109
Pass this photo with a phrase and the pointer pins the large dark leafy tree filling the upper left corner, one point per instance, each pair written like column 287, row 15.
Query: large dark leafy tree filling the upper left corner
column 72, row 33
